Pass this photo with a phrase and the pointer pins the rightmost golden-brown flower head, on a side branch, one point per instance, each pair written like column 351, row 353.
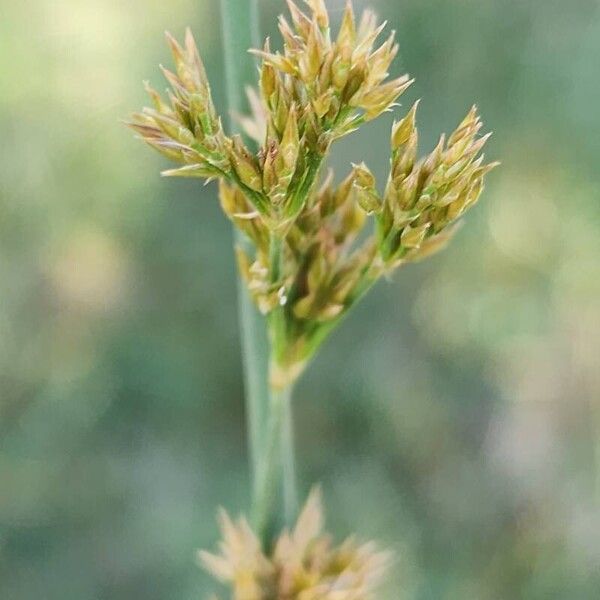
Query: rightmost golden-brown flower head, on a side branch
column 425, row 198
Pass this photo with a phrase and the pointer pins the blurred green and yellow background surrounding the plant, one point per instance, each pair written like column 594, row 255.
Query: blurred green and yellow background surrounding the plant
column 455, row 416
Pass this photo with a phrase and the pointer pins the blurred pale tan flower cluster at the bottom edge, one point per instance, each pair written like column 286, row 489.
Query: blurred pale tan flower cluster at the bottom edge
column 303, row 565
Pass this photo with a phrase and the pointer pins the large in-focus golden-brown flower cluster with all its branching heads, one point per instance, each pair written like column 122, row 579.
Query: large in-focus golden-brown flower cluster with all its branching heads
column 317, row 247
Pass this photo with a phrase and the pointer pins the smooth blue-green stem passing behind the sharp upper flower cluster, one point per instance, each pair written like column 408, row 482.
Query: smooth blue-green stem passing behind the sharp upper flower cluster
column 240, row 32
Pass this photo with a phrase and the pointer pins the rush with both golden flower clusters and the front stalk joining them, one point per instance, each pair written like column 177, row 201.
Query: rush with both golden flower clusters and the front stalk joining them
column 311, row 249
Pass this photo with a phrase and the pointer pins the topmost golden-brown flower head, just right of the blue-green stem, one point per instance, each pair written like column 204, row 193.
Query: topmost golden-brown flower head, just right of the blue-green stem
column 339, row 83
